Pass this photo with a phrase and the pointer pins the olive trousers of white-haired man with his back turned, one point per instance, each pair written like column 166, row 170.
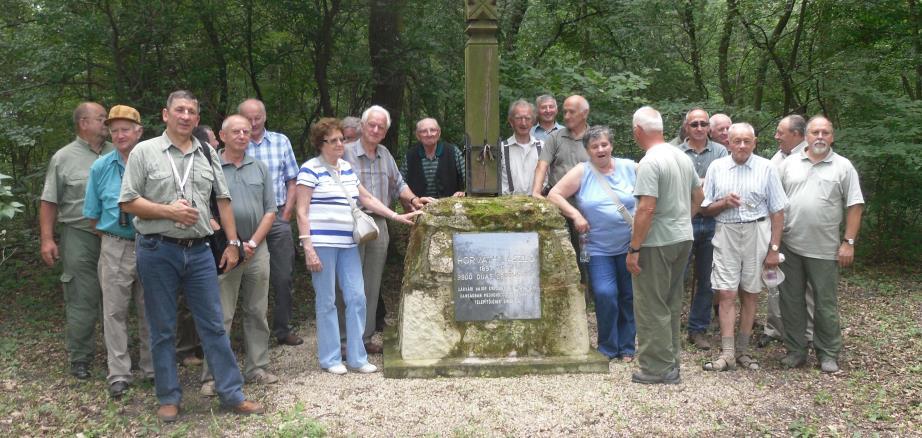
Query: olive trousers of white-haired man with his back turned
column 658, row 291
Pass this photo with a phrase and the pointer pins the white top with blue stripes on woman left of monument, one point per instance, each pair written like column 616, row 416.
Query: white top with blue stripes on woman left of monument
column 330, row 214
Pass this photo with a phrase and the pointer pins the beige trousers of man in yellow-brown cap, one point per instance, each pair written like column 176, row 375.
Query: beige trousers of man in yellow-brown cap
column 118, row 277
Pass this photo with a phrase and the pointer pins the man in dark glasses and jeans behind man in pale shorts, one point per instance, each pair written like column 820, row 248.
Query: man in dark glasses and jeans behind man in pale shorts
column 702, row 152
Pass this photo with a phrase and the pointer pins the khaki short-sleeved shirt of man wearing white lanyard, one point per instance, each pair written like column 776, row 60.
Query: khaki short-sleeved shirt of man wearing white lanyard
column 148, row 174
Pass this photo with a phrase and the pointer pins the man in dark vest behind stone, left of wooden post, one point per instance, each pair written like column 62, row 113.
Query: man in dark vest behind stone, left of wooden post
column 434, row 168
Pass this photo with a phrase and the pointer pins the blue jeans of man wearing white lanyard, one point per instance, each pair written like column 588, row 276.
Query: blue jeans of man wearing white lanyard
column 165, row 267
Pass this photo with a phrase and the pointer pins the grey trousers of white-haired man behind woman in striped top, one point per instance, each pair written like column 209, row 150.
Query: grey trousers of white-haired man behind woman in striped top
column 373, row 255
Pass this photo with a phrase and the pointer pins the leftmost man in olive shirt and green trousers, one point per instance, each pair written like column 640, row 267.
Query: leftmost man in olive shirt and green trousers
column 62, row 202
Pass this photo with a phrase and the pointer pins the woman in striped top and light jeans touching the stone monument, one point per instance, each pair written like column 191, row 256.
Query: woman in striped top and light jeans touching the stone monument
column 325, row 226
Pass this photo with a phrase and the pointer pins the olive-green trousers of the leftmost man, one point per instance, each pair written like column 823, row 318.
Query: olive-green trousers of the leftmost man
column 82, row 294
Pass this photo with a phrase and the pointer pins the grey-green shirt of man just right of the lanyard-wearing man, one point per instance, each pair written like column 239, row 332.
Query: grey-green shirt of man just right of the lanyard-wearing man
column 253, row 192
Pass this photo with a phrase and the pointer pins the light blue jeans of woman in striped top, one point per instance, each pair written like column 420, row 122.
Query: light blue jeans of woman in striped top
column 341, row 264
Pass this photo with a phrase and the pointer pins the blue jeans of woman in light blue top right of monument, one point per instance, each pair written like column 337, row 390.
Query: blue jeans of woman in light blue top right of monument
column 614, row 304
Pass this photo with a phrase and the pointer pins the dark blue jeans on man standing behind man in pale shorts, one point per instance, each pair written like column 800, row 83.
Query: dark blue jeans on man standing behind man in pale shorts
column 699, row 315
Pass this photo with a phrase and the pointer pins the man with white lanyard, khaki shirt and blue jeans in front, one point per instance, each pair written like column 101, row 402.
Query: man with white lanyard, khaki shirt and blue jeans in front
column 167, row 185
